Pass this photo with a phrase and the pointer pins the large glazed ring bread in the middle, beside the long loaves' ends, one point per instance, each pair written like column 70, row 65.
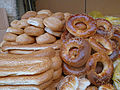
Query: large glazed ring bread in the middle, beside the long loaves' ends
column 73, row 52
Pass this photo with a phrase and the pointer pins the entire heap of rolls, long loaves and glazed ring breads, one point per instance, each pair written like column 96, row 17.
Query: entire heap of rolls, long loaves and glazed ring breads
column 48, row 51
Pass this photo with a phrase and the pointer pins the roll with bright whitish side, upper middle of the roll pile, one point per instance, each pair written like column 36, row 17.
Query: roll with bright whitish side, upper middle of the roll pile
column 38, row 22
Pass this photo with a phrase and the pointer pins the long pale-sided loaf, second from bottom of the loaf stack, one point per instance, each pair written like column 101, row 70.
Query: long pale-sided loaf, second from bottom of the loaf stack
column 27, row 80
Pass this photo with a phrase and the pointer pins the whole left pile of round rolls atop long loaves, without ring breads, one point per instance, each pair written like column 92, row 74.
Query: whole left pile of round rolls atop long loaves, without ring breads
column 30, row 52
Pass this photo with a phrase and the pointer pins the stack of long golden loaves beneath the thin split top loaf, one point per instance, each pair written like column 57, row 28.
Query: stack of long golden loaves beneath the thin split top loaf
column 35, row 71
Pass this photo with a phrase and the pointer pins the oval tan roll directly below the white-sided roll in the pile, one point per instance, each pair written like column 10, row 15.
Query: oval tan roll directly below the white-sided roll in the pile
column 33, row 31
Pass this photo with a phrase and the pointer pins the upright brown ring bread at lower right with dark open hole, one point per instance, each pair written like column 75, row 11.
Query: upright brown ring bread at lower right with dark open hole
column 106, row 74
